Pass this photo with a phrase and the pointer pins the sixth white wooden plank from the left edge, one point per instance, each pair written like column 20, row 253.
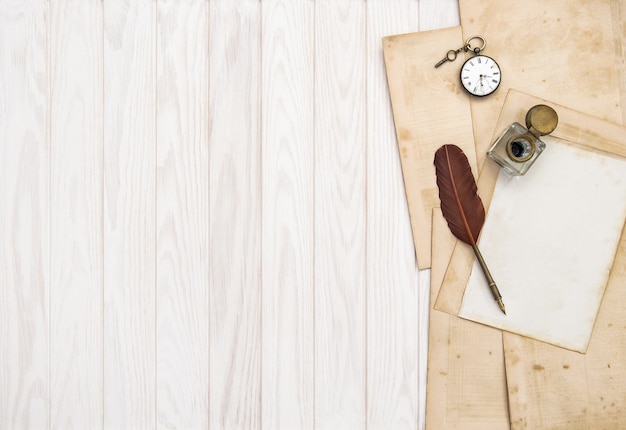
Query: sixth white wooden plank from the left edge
column 287, row 213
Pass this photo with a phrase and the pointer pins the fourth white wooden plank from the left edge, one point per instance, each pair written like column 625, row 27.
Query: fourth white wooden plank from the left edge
column 182, row 215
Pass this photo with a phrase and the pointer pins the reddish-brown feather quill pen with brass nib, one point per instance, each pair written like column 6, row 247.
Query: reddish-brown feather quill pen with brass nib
column 460, row 204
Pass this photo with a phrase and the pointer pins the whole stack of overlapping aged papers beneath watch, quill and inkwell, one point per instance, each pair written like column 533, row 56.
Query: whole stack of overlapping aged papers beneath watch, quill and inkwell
column 487, row 375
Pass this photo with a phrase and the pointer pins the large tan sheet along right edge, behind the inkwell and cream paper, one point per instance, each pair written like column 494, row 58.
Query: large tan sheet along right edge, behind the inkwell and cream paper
column 551, row 388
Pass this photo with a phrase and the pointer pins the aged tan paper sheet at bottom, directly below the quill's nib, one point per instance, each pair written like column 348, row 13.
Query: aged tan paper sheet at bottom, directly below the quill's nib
column 466, row 386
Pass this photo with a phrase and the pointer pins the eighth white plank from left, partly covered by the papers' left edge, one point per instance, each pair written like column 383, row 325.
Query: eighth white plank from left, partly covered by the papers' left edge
column 392, row 277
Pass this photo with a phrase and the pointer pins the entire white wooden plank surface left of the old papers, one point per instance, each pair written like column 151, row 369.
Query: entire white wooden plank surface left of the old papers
column 202, row 217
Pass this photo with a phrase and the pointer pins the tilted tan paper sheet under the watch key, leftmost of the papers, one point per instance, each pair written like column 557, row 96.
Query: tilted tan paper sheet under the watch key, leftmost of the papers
column 429, row 109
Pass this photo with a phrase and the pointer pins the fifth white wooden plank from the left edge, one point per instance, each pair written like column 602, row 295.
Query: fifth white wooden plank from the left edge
column 235, row 207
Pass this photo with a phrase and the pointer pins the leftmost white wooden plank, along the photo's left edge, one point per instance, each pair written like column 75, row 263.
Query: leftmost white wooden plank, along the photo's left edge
column 24, row 215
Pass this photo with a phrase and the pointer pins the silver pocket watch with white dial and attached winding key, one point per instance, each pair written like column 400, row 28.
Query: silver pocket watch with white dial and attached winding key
column 480, row 75
